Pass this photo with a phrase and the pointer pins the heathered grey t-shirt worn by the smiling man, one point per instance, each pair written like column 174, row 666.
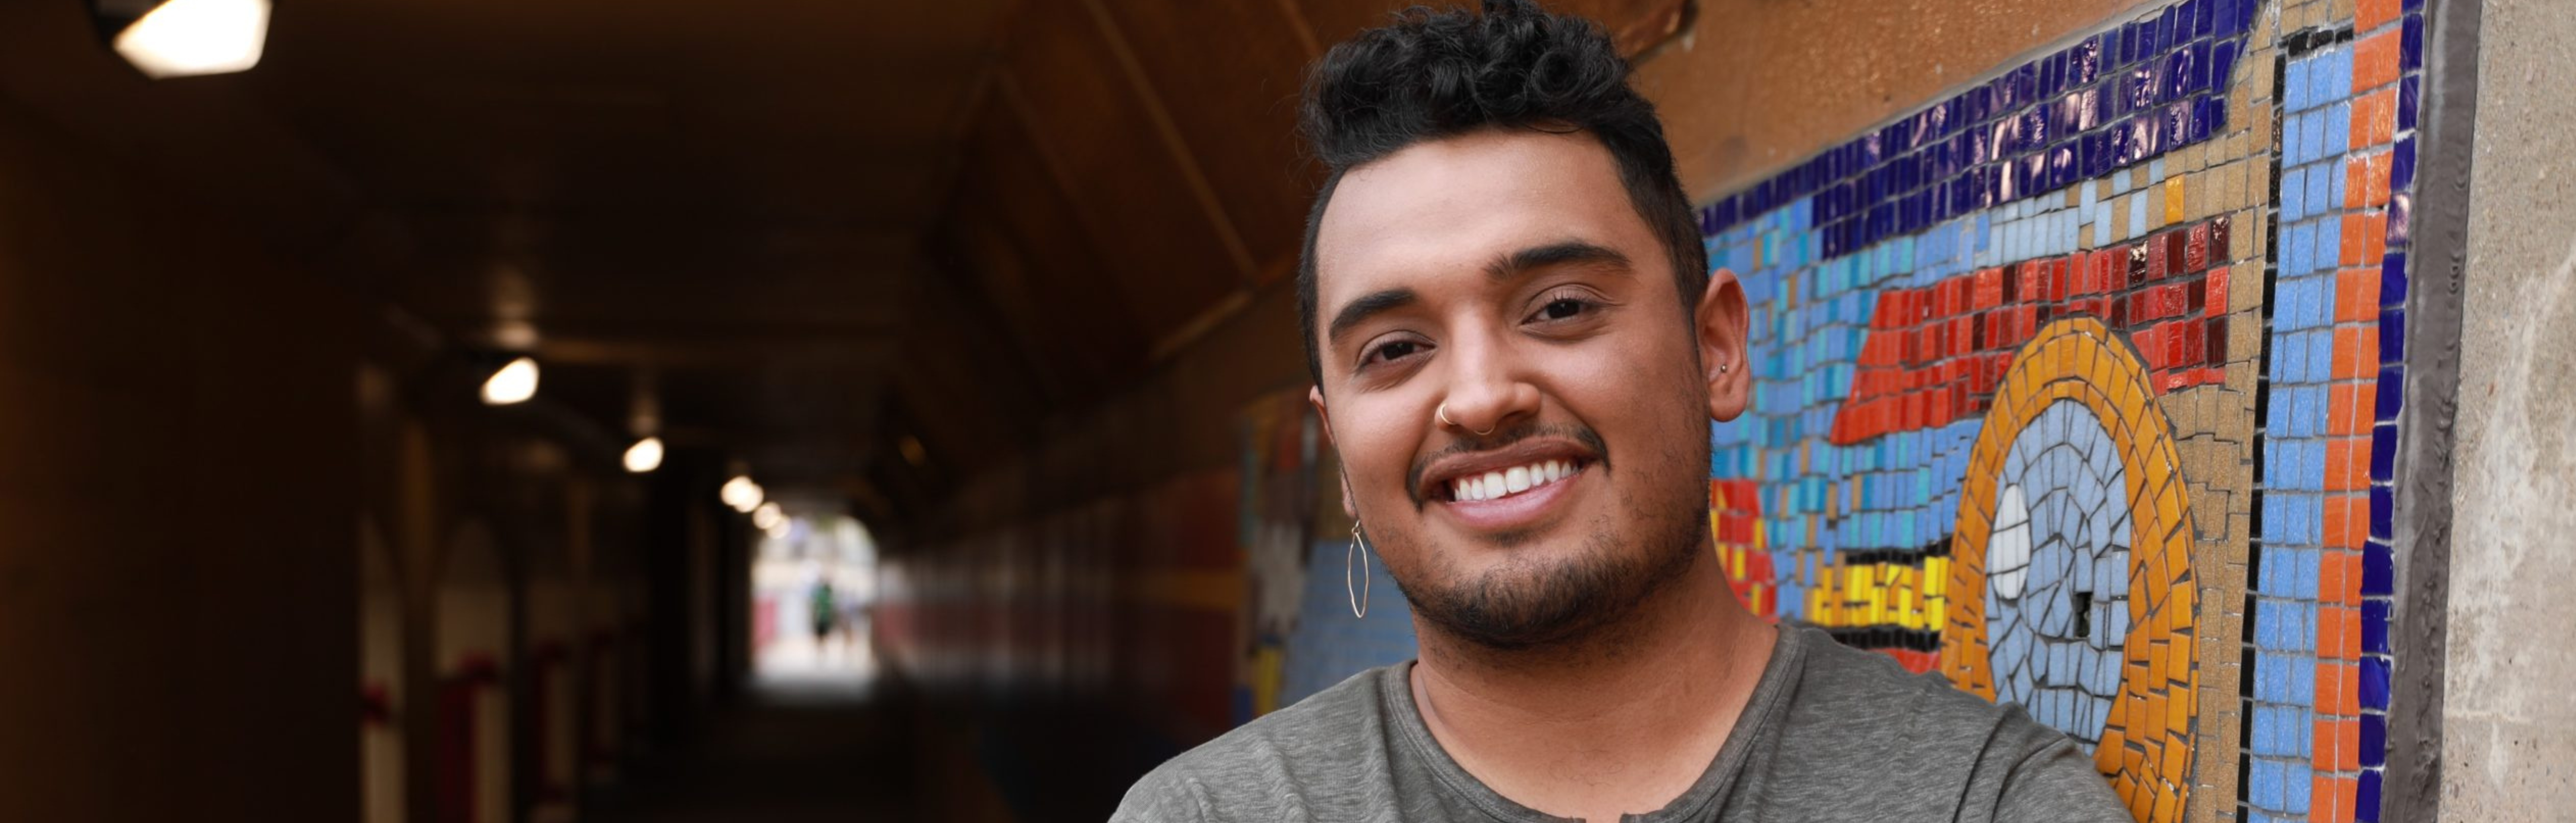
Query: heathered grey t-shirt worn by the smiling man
column 1830, row 734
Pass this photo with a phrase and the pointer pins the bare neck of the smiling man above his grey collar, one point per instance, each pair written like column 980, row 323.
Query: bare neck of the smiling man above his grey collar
column 1619, row 721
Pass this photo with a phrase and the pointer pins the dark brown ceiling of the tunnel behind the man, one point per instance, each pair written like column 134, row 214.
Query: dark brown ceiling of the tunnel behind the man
column 813, row 228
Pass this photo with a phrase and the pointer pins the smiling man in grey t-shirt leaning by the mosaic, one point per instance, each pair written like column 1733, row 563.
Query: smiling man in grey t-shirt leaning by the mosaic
column 1519, row 355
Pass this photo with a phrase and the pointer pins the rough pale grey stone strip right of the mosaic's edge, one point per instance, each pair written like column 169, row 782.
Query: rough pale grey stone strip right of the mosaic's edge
column 2508, row 752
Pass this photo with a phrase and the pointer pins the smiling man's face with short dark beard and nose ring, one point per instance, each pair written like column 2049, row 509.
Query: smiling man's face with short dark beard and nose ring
column 1506, row 283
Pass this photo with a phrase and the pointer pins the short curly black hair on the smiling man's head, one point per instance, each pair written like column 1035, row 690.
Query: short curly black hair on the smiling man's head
column 1446, row 74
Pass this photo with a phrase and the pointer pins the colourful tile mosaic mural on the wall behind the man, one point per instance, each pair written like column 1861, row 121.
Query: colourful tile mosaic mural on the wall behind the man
column 2080, row 391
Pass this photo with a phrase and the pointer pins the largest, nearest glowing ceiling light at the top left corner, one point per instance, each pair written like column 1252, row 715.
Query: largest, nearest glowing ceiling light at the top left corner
column 184, row 37
